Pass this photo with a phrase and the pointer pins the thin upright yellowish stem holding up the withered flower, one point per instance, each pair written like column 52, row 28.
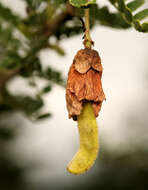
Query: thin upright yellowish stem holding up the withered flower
column 87, row 41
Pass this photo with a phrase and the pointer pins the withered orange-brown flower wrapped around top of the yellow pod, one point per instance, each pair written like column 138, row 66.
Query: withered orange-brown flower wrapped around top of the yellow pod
column 84, row 82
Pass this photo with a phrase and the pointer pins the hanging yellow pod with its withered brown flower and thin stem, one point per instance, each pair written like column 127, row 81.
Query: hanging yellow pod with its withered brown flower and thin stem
column 84, row 97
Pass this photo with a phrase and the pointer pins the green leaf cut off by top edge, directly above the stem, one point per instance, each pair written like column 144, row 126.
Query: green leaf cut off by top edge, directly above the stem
column 81, row 3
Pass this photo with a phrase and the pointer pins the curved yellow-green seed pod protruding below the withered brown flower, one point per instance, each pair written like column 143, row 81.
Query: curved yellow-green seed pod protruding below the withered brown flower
column 89, row 146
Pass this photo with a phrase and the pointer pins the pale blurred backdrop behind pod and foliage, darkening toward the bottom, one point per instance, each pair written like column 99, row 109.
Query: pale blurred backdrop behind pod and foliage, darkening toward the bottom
column 36, row 156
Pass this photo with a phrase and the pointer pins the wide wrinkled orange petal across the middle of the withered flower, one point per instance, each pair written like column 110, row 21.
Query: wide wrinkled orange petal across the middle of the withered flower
column 85, row 86
